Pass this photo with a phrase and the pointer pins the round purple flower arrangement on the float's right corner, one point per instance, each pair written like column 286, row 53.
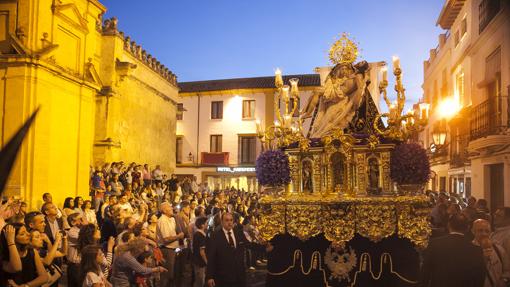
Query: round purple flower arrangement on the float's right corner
column 409, row 164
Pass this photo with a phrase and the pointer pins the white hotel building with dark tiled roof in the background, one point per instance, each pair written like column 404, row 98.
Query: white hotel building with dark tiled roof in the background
column 216, row 130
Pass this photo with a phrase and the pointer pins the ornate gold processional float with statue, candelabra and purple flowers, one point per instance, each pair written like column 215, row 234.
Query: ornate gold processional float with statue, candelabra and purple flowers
column 341, row 181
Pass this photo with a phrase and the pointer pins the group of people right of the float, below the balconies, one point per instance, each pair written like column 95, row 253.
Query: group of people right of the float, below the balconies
column 470, row 244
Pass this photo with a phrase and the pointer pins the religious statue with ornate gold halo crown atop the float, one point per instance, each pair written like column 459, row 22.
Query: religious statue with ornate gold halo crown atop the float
column 342, row 94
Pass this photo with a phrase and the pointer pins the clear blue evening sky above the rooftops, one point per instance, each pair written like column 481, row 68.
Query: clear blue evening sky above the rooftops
column 218, row 39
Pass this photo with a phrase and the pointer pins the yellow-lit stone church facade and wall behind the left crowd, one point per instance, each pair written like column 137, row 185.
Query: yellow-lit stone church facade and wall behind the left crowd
column 102, row 97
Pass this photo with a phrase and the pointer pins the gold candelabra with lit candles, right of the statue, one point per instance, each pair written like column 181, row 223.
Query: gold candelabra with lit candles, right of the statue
column 400, row 126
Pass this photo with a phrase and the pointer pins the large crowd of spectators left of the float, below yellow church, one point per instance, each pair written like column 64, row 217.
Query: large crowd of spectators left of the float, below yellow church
column 139, row 228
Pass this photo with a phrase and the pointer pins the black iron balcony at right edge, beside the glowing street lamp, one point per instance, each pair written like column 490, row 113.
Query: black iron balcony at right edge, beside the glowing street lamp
column 487, row 118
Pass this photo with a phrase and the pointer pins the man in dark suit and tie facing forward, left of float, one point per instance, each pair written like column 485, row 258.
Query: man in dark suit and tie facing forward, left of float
column 225, row 255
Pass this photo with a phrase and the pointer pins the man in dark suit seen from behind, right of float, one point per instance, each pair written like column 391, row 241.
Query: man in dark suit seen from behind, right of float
column 452, row 260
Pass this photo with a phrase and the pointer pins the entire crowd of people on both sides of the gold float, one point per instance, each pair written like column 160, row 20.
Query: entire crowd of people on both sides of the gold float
column 142, row 228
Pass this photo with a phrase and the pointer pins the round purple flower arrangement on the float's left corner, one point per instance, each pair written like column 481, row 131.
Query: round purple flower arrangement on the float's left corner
column 273, row 168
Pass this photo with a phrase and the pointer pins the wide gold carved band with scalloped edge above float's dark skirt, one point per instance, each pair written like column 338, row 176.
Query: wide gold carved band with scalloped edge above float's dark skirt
column 306, row 215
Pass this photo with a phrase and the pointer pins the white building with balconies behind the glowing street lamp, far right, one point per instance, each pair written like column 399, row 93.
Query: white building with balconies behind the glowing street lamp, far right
column 467, row 83
